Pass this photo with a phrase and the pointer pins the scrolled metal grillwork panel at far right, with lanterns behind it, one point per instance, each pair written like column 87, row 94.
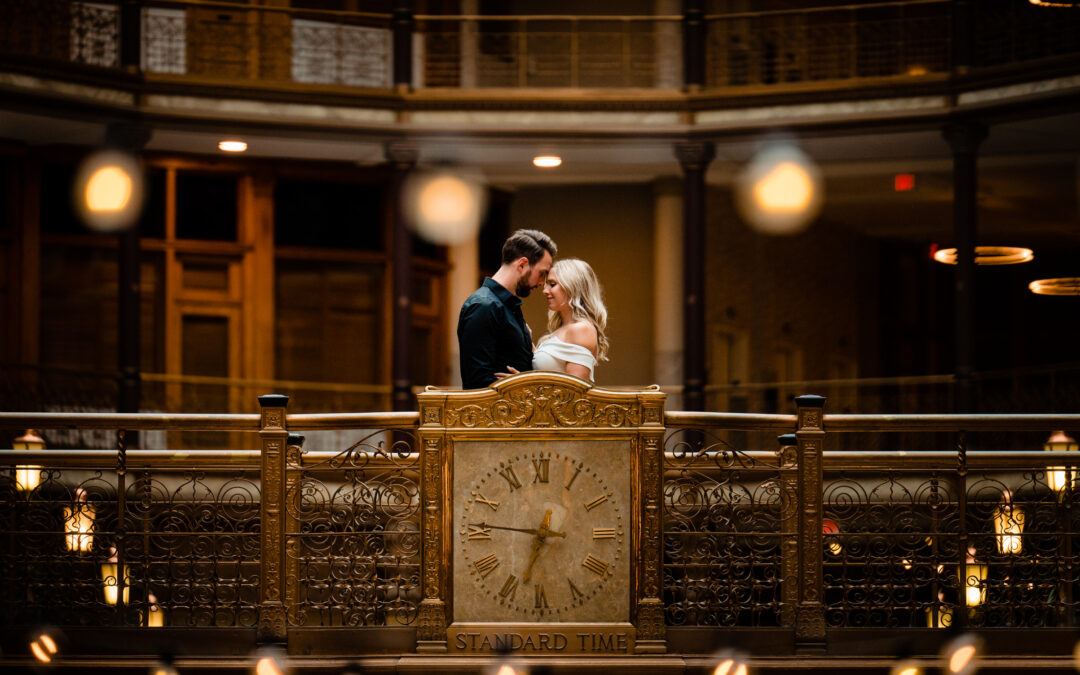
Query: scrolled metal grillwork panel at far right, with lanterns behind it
column 904, row 557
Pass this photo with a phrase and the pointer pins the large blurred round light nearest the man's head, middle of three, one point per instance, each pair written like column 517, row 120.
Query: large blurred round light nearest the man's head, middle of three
column 445, row 207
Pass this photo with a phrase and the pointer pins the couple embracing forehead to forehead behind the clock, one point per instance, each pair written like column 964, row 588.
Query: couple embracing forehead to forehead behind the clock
column 493, row 337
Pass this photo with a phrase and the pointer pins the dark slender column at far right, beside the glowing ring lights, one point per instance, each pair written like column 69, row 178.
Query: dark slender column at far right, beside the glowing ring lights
column 964, row 139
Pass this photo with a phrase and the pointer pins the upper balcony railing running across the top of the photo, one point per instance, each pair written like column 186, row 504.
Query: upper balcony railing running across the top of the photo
column 272, row 46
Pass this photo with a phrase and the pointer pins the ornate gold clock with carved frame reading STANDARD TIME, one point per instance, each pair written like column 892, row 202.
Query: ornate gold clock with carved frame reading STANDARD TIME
column 542, row 519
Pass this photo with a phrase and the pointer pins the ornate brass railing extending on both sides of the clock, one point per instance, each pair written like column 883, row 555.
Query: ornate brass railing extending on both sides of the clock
column 792, row 537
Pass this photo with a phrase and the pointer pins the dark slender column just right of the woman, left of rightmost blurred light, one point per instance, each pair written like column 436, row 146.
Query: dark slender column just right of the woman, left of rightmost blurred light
column 695, row 159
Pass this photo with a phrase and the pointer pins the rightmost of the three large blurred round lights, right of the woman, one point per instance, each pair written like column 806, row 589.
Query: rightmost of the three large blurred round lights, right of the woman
column 780, row 191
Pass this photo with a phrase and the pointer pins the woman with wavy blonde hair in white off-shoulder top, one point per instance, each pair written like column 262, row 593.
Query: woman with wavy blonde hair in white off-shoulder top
column 576, row 321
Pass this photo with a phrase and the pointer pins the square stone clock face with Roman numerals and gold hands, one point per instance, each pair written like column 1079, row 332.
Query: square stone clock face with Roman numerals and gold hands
column 542, row 532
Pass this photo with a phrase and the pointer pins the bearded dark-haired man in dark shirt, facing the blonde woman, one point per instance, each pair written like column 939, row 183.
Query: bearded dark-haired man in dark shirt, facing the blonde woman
column 492, row 333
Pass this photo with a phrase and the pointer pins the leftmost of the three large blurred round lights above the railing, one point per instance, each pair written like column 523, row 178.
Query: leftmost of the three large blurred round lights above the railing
column 109, row 191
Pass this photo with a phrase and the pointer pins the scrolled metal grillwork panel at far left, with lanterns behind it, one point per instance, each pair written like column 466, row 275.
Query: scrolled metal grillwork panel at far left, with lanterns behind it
column 180, row 550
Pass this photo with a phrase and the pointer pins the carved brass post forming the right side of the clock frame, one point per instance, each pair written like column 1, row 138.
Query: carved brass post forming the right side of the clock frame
column 652, row 630
